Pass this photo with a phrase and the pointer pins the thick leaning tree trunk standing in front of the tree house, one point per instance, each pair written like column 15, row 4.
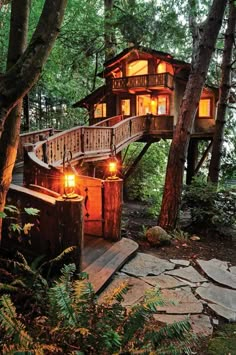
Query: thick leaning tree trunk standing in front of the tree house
column 208, row 33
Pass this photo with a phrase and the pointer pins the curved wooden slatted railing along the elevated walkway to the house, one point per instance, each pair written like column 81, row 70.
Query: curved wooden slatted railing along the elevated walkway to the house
column 98, row 141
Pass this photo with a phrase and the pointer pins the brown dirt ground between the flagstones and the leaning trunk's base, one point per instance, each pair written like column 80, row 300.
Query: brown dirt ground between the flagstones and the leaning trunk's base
column 136, row 221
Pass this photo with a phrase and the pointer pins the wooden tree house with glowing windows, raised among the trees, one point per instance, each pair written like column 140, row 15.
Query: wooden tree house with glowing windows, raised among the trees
column 141, row 81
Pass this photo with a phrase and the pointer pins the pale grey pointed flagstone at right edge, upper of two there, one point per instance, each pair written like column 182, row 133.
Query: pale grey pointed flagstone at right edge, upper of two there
column 217, row 270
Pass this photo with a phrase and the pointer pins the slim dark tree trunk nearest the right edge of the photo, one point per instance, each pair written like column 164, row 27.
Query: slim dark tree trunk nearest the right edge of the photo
column 225, row 87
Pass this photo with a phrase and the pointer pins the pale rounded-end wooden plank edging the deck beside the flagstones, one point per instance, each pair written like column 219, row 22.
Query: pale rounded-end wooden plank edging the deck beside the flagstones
column 104, row 267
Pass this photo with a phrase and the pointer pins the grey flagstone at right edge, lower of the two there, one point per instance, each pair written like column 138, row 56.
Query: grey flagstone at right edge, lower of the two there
column 218, row 295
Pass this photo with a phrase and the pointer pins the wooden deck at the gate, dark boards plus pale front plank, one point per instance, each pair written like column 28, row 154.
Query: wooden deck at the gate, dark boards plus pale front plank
column 101, row 258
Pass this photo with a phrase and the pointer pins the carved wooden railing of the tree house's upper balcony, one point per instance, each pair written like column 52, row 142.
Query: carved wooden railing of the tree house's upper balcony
column 164, row 80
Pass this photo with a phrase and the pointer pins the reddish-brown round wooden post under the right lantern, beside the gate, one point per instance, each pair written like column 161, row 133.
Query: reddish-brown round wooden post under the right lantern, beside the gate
column 112, row 208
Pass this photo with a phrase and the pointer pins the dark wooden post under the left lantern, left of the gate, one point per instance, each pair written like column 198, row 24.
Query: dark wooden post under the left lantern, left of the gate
column 71, row 226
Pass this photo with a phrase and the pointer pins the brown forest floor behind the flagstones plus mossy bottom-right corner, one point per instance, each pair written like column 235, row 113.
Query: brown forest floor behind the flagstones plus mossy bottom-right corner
column 137, row 219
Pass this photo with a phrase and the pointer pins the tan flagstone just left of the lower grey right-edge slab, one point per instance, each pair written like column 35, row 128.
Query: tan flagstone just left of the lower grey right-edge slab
column 180, row 301
